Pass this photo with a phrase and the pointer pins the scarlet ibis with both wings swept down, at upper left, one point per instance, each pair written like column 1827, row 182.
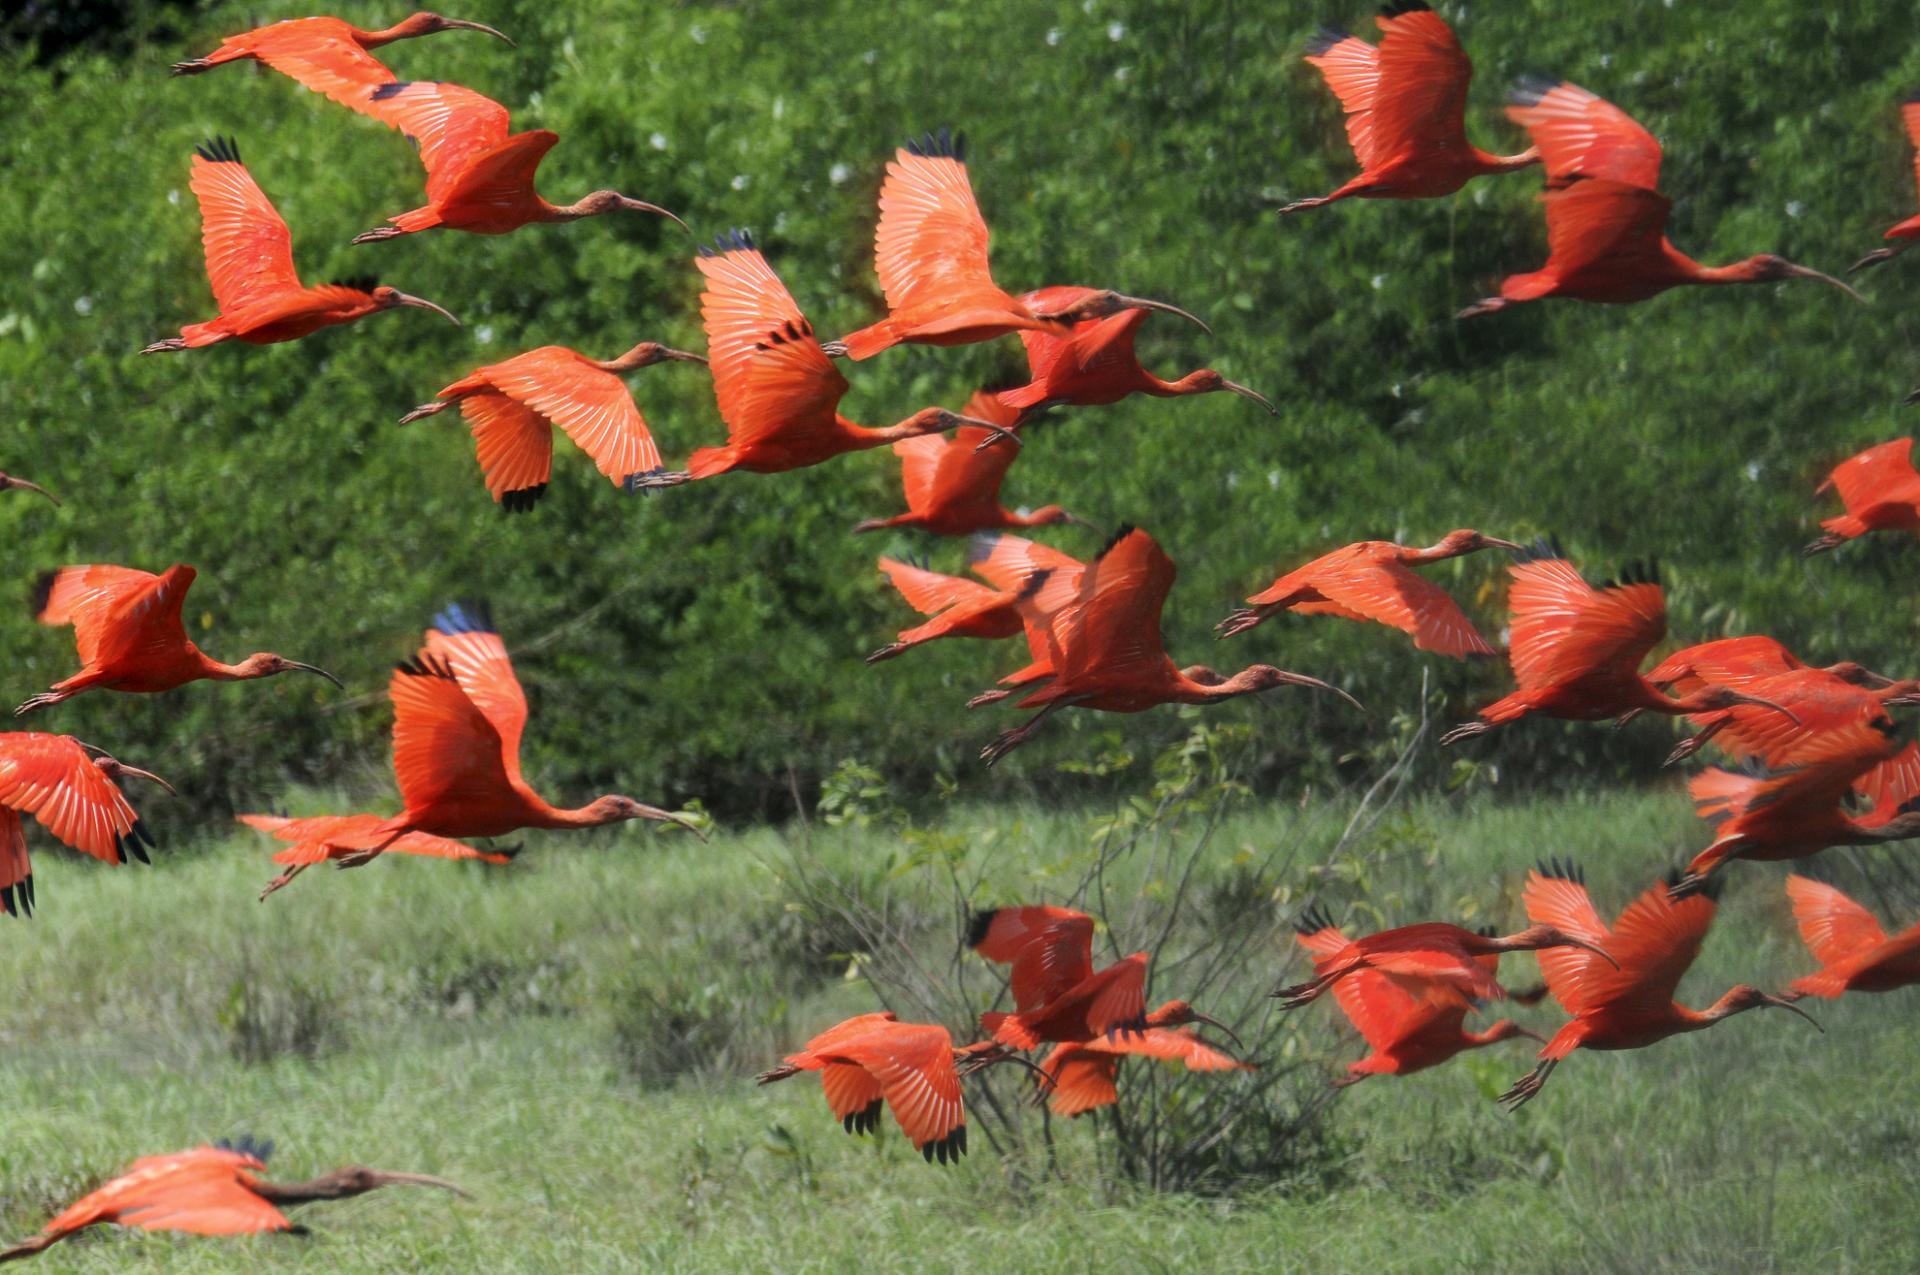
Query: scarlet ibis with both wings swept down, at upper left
column 516, row 406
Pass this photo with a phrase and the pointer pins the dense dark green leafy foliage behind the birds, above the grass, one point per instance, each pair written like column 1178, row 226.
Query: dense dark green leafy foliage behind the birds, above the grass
column 708, row 640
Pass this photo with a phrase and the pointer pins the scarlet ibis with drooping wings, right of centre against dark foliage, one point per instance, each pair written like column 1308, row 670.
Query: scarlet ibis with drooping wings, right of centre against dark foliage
column 1376, row 581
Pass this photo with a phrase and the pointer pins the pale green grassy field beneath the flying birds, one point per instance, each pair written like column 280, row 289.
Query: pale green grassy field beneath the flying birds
column 517, row 1030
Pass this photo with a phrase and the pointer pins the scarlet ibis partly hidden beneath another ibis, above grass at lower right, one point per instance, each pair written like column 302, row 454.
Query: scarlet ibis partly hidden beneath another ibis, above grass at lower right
column 1410, row 1022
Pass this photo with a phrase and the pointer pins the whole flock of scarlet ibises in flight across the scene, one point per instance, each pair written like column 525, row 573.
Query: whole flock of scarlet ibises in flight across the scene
column 1821, row 758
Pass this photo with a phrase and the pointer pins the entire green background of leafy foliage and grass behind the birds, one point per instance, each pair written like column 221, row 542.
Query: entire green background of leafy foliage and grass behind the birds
column 706, row 644
